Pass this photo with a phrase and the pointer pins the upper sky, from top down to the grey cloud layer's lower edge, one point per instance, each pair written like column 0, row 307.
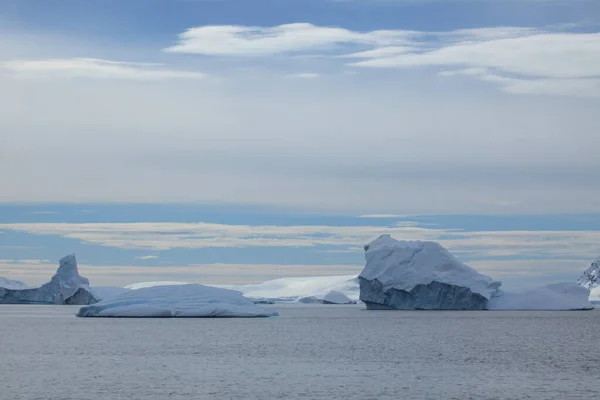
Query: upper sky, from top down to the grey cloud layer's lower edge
column 384, row 106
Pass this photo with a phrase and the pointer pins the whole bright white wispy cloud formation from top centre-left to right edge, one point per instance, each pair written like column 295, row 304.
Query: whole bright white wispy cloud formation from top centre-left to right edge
column 520, row 60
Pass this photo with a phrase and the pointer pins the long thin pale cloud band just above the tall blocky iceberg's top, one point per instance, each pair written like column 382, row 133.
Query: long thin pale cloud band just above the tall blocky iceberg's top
column 162, row 236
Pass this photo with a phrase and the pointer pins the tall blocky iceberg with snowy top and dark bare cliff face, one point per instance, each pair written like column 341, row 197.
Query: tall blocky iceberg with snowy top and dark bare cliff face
column 409, row 275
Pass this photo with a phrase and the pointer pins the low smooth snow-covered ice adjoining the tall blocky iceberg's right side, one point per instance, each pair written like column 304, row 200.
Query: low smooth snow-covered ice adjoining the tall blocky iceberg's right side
column 558, row 296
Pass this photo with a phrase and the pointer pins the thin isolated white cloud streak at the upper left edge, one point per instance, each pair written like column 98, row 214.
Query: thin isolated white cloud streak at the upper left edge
column 93, row 68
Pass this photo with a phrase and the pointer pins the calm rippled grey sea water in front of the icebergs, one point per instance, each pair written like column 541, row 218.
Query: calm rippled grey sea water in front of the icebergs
column 309, row 352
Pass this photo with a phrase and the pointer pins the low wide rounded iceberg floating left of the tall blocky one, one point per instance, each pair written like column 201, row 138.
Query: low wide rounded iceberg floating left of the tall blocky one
column 184, row 301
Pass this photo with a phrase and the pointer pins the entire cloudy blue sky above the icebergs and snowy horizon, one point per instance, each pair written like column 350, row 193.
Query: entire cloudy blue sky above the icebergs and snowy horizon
column 252, row 117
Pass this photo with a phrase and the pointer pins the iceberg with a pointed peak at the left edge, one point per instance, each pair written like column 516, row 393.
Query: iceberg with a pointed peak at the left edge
column 65, row 287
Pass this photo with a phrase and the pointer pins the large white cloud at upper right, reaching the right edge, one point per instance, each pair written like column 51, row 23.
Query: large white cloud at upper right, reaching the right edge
column 519, row 61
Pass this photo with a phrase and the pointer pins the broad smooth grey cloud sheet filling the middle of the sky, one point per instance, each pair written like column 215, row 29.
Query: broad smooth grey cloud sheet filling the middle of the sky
column 390, row 142
